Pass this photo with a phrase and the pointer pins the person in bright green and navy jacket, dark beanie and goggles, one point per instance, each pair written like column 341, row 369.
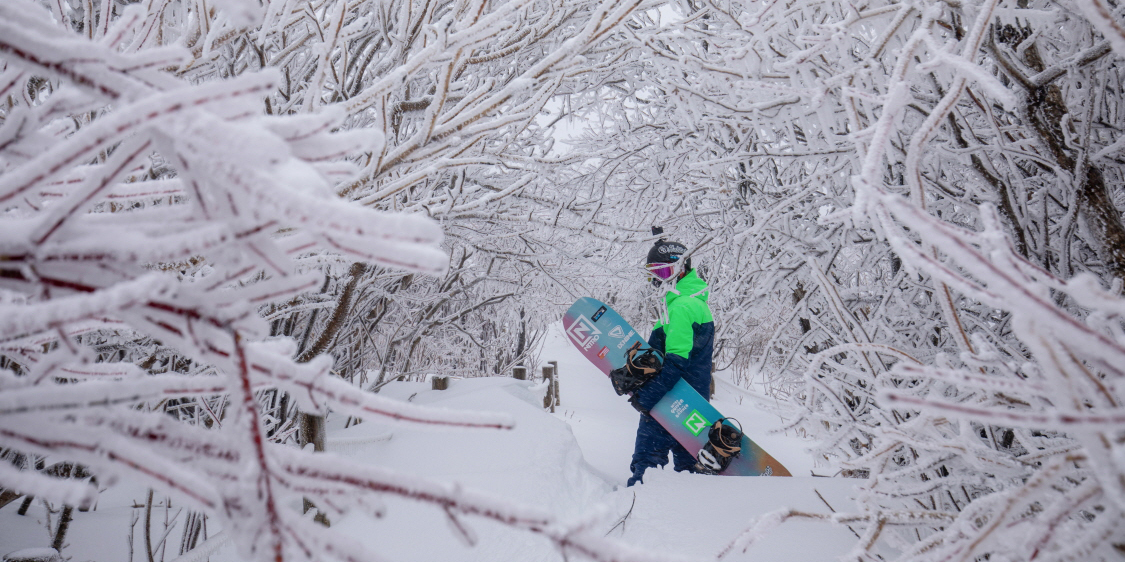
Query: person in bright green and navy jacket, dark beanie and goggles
column 686, row 338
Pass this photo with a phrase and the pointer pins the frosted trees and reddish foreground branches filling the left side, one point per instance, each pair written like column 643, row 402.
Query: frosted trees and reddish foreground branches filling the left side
column 173, row 191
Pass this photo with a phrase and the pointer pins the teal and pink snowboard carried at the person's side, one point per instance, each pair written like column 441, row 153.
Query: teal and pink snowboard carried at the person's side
column 604, row 338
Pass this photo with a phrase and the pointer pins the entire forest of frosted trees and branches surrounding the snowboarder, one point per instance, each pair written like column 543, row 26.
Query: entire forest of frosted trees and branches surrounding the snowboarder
column 223, row 220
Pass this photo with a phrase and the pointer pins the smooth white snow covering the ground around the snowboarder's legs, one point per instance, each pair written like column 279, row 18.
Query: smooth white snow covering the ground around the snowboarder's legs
column 574, row 464
